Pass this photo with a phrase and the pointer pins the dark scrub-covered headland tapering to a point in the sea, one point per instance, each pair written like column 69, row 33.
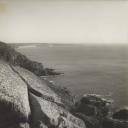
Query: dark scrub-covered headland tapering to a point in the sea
column 9, row 54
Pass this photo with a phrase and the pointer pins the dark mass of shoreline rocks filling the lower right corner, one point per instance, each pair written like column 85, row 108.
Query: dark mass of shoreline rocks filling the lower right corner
column 96, row 112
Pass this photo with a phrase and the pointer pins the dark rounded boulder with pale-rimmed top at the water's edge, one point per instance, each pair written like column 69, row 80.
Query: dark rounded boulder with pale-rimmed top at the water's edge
column 93, row 105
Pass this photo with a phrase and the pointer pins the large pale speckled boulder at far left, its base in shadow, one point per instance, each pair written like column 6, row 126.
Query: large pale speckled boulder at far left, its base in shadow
column 14, row 103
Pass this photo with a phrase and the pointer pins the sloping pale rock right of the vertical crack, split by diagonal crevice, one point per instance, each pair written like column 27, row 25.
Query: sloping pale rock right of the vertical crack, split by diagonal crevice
column 46, row 105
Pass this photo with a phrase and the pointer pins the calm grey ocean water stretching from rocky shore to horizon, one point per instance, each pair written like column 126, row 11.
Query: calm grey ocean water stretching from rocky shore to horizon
column 100, row 69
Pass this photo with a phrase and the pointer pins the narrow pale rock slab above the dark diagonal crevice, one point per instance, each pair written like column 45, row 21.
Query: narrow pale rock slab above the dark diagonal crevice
column 36, row 85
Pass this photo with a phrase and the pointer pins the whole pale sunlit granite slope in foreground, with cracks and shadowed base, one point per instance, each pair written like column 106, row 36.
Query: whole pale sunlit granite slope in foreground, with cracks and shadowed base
column 31, row 101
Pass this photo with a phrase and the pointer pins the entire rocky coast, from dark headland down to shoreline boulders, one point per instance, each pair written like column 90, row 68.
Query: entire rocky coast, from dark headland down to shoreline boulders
column 28, row 101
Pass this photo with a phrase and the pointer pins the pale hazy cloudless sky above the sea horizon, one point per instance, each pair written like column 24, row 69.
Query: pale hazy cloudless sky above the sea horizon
column 64, row 21
